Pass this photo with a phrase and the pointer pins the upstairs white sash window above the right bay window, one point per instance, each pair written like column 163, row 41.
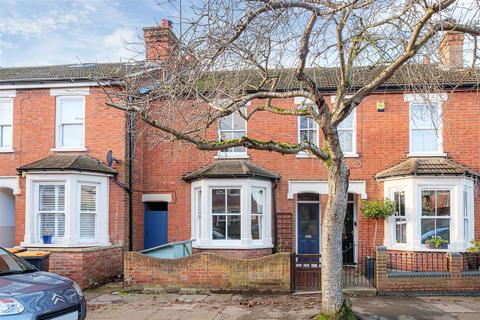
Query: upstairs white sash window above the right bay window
column 425, row 128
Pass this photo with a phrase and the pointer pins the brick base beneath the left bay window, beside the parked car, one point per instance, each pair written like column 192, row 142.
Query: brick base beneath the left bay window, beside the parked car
column 89, row 267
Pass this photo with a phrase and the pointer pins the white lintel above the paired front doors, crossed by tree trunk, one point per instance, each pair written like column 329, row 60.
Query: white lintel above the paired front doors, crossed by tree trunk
column 321, row 187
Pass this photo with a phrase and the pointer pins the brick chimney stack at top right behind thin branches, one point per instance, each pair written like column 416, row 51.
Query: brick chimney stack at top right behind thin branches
column 451, row 50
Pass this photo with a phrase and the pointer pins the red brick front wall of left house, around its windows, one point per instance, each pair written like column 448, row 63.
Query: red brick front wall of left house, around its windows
column 34, row 137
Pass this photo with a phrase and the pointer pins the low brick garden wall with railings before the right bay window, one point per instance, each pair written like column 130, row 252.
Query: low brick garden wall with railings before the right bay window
column 392, row 277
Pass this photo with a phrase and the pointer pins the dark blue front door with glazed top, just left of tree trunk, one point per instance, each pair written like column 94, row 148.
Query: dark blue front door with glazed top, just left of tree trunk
column 308, row 228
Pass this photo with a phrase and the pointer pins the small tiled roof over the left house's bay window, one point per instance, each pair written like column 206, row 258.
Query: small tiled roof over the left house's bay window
column 76, row 162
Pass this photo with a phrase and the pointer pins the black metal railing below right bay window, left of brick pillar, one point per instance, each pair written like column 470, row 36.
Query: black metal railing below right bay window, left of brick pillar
column 417, row 262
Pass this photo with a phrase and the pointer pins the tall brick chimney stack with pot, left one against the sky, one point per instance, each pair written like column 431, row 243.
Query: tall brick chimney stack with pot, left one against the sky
column 160, row 41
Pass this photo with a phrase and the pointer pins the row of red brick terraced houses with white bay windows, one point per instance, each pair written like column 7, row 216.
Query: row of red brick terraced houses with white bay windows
column 55, row 132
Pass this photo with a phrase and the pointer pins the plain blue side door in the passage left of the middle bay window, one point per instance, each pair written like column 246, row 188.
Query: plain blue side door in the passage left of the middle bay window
column 155, row 226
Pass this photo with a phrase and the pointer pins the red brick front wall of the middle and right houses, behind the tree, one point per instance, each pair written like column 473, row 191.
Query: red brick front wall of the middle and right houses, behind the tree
column 382, row 141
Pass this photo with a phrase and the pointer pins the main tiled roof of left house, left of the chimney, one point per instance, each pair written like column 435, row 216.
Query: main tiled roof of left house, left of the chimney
column 81, row 71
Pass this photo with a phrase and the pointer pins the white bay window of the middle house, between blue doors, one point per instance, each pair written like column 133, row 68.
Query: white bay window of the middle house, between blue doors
column 231, row 214
